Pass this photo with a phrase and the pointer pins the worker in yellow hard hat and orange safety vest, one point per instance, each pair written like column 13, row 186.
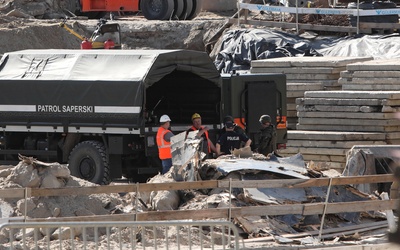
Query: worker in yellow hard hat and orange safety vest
column 208, row 146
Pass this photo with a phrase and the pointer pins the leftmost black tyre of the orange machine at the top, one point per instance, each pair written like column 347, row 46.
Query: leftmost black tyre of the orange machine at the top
column 157, row 9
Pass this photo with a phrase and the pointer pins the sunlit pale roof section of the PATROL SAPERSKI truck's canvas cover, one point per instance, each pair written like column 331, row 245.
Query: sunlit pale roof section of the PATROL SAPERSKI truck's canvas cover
column 146, row 66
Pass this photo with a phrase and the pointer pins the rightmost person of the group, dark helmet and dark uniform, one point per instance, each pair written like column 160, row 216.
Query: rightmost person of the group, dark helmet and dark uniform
column 267, row 136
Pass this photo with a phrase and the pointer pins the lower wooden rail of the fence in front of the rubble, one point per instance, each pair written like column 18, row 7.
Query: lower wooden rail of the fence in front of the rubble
column 217, row 213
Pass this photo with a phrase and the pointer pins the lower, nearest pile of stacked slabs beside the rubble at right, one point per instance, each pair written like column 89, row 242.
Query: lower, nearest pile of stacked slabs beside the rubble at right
column 331, row 122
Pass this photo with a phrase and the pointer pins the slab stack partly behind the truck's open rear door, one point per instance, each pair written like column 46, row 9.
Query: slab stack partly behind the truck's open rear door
column 305, row 74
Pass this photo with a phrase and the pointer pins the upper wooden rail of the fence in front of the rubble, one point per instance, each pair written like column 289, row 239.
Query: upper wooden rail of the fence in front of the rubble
column 146, row 187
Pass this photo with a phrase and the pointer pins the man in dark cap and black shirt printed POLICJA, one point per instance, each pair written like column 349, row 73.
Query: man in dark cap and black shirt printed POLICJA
column 231, row 140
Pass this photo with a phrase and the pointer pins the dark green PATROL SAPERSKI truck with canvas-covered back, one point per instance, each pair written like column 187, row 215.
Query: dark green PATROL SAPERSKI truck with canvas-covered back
column 98, row 110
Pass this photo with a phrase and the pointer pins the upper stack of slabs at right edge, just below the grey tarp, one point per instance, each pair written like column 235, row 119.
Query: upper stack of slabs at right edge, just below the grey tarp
column 373, row 75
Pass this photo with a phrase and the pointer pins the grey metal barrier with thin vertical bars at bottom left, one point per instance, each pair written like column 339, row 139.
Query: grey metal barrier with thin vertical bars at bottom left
column 121, row 235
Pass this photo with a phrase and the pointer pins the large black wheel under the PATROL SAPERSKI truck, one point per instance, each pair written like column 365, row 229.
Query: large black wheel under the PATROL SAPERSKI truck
column 88, row 160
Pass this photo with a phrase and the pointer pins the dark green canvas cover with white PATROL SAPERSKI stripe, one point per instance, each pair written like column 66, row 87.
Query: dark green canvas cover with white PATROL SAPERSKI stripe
column 88, row 87
